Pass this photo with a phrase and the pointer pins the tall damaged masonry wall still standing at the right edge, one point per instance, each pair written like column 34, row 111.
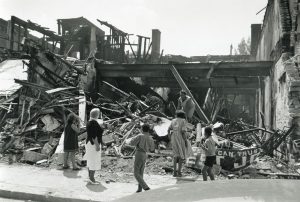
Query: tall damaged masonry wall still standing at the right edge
column 277, row 40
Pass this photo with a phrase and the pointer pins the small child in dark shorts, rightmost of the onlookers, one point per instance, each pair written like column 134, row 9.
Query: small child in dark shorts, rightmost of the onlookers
column 210, row 152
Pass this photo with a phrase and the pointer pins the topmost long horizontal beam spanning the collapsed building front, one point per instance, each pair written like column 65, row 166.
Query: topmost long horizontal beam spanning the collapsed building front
column 261, row 68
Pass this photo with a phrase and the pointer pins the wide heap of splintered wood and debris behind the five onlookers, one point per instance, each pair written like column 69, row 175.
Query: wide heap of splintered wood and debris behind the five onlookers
column 33, row 119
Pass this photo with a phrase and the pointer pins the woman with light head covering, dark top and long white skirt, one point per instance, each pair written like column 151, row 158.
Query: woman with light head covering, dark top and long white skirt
column 93, row 145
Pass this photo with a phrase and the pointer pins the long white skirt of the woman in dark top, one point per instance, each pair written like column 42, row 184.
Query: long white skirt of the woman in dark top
column 92, row 157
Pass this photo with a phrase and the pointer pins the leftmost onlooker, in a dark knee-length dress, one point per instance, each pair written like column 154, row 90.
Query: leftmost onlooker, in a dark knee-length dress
column 71, row 140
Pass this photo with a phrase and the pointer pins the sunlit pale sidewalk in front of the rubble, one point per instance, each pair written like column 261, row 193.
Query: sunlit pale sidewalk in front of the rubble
column 20, row 181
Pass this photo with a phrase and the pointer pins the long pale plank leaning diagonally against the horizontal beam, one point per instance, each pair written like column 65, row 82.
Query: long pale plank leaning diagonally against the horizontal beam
column 184, row 87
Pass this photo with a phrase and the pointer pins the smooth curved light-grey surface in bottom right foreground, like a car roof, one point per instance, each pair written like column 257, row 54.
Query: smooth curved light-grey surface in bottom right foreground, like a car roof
column 239, row 190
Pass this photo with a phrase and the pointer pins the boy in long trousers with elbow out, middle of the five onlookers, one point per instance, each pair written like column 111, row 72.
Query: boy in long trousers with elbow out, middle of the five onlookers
column 143, row 143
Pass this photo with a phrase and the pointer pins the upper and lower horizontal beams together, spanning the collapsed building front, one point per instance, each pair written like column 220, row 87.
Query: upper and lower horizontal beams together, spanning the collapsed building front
column 245, row 75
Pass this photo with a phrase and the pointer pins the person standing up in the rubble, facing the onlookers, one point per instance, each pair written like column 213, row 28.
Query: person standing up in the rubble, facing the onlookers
column 186, row 104
